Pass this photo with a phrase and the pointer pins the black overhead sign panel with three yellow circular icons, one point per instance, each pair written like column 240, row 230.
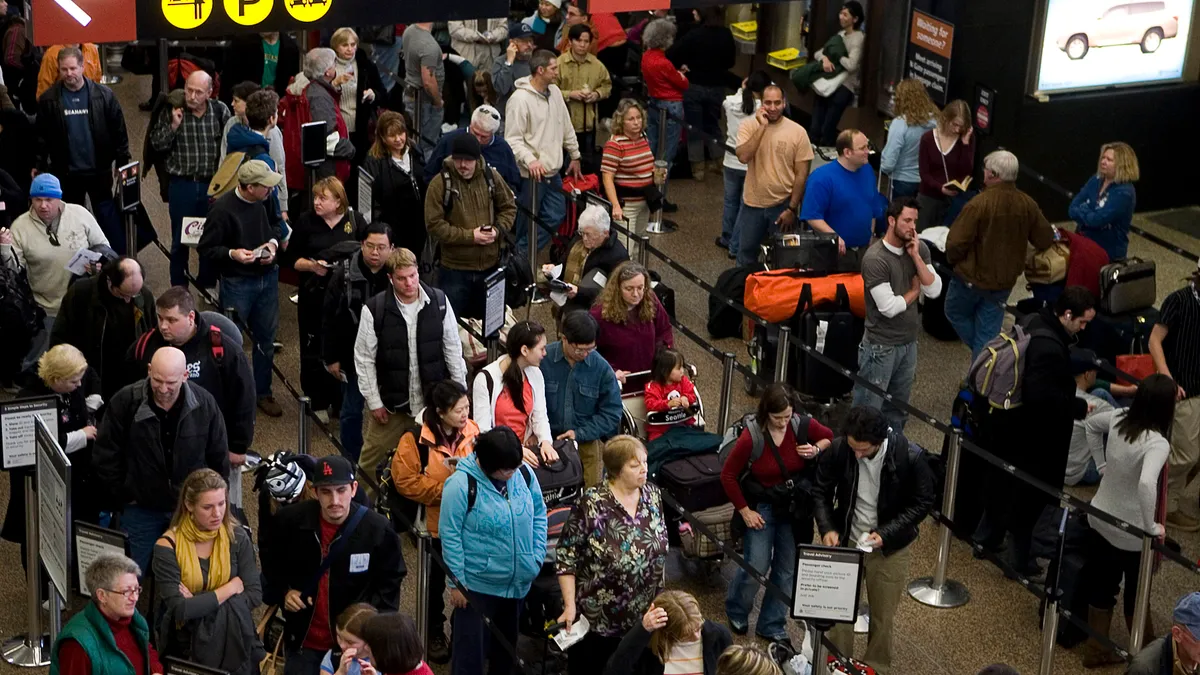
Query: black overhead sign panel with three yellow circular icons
column 213, row 19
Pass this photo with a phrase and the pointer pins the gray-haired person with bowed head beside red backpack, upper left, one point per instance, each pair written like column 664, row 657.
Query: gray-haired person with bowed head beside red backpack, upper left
column 317, row 86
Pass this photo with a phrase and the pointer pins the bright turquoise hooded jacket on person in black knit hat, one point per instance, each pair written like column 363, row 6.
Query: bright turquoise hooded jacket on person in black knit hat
column 499, row 548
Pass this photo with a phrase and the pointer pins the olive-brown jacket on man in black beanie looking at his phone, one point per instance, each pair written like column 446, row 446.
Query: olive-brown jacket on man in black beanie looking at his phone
column 472, row 207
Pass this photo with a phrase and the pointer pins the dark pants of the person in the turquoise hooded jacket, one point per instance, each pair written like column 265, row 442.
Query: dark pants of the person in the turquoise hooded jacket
column 473, row 642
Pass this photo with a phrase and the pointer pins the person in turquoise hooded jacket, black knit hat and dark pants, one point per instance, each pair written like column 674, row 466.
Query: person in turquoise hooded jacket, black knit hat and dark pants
column 494, row 540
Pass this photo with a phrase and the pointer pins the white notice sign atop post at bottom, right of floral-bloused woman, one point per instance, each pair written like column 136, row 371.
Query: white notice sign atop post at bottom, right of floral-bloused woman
column 829, row 584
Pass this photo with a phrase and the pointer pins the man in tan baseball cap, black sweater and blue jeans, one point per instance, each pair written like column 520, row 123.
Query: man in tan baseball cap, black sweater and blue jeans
column 242, row 240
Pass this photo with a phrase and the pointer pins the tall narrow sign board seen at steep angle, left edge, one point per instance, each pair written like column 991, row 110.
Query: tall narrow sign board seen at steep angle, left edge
column 53, row 510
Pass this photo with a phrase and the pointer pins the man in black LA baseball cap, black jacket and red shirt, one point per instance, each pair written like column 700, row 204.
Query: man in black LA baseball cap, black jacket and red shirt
column 340, row 553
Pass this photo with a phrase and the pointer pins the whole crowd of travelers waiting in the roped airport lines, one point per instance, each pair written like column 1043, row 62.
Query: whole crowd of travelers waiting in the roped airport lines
column 465, row 134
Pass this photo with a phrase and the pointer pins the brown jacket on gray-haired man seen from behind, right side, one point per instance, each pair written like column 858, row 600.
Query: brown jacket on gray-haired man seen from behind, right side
column 988, row 242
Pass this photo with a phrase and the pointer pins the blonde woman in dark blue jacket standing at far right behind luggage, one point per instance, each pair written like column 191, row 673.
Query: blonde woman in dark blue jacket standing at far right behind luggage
column 1103, row 210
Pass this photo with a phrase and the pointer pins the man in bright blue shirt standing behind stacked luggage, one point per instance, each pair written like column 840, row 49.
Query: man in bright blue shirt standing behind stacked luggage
column 842, row 199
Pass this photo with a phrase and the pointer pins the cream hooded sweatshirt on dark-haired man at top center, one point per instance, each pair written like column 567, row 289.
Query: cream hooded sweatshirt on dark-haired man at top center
column 538, row 127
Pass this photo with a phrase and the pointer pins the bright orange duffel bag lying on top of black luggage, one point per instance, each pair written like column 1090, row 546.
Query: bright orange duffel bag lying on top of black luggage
column 776, row 295
